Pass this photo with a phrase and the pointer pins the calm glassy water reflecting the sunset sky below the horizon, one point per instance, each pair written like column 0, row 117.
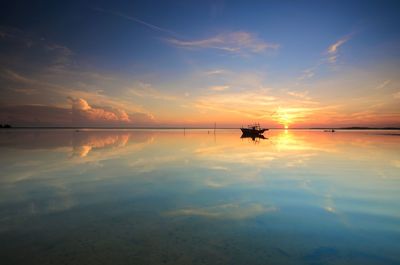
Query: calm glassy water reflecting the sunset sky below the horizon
column 165, row 197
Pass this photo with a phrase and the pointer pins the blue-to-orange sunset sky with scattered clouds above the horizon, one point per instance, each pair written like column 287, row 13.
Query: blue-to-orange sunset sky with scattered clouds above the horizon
column 295, row 64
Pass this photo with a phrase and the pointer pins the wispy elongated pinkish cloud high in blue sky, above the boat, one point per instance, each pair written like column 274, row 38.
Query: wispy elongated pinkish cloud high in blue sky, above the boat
column 233, row 42
